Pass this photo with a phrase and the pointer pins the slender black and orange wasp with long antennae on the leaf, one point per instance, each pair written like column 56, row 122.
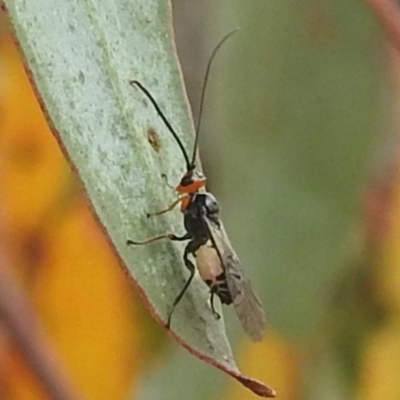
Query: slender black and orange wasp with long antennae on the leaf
column 208, row 244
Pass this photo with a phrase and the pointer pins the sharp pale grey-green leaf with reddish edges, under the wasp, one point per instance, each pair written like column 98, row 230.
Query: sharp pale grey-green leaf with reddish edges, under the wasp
column 81, row 56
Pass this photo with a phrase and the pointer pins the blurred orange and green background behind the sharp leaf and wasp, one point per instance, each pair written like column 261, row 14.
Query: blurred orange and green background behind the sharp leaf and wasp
column 300, row 145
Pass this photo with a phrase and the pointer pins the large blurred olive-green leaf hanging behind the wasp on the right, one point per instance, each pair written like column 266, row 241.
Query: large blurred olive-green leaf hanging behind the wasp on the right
column 299, row 126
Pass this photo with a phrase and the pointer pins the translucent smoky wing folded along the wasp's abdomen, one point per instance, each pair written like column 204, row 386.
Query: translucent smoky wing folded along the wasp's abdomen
column 247, row 305
